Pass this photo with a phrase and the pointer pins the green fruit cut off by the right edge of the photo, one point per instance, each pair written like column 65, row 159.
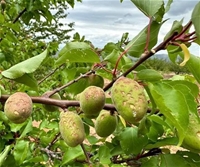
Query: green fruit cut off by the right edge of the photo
column 192, row 138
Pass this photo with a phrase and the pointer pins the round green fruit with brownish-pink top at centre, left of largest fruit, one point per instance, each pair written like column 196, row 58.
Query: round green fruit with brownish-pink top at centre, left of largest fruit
column 92, row 101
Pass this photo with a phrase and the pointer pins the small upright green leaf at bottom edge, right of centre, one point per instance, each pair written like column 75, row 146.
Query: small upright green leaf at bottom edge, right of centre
column 104, row 155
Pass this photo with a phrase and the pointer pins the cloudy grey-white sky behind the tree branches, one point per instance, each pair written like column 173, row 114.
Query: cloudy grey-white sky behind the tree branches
column 102, row 21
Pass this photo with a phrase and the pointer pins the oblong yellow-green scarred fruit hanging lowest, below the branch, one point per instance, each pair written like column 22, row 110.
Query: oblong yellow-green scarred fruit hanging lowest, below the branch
column 71, row 128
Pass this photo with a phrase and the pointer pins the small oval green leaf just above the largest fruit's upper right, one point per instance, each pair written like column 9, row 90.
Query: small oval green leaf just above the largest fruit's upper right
column 149, row 75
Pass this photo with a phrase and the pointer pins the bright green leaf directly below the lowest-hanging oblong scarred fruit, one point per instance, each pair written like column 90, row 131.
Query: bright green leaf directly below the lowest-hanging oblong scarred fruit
column 72, row 153
